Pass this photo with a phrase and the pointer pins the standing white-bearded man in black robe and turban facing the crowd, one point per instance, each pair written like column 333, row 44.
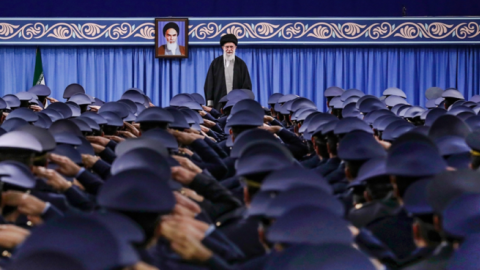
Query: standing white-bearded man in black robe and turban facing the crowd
column 226, row 72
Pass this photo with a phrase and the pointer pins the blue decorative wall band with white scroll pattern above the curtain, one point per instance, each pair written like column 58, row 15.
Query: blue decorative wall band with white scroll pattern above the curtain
column 250, row 31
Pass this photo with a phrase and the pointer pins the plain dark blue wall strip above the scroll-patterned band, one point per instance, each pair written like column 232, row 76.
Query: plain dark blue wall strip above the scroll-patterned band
column 229, row 8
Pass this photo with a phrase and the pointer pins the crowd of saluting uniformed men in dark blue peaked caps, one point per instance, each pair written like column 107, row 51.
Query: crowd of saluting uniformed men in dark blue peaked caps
column 375, row 183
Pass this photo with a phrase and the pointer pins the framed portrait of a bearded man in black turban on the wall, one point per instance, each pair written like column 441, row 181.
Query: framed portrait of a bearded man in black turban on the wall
column 171, row 37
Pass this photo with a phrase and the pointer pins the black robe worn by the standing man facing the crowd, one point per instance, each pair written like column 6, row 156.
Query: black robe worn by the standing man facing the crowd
column 215, row 85
